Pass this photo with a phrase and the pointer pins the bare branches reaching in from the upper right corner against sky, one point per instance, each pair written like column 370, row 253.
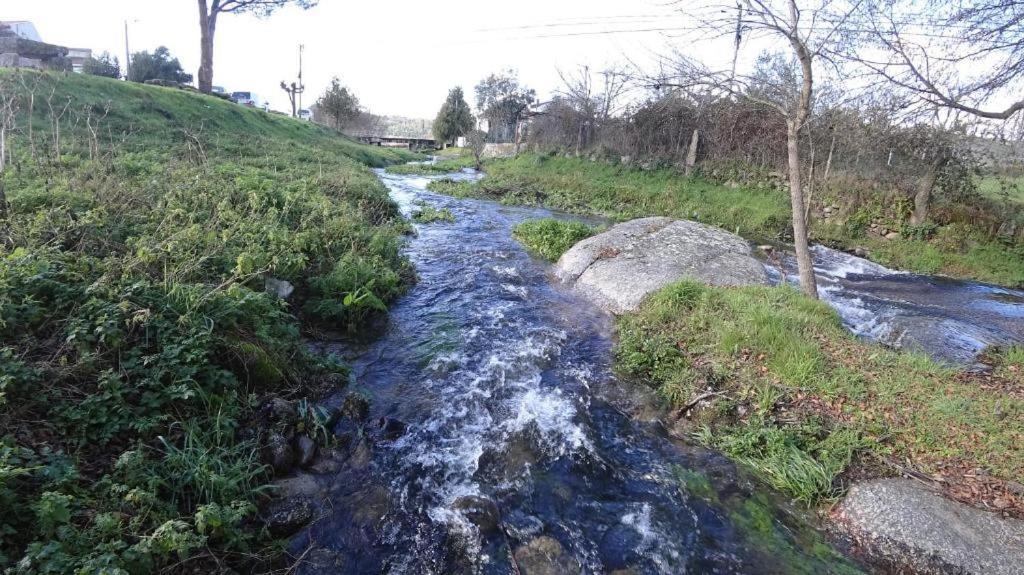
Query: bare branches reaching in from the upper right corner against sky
column 963, row 56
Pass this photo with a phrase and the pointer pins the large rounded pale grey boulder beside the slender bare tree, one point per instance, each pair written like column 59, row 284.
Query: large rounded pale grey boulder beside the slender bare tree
column 619, row 269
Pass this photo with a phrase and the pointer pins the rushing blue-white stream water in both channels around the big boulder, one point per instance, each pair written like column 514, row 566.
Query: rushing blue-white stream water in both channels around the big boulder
column 502, row 443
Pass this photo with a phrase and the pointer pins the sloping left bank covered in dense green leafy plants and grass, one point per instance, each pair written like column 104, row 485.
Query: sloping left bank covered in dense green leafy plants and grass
column 137, row 336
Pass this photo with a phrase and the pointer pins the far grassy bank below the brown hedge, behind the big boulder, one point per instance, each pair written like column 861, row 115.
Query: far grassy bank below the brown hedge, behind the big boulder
column 761, row 214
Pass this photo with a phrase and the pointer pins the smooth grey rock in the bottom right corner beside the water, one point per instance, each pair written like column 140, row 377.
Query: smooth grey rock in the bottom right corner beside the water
column 901, row 522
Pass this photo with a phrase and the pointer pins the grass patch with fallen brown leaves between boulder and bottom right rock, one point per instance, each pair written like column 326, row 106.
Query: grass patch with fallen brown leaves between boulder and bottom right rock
column 798, row 397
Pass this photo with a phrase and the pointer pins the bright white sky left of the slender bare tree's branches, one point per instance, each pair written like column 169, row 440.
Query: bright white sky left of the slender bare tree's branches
column 400, row 57
